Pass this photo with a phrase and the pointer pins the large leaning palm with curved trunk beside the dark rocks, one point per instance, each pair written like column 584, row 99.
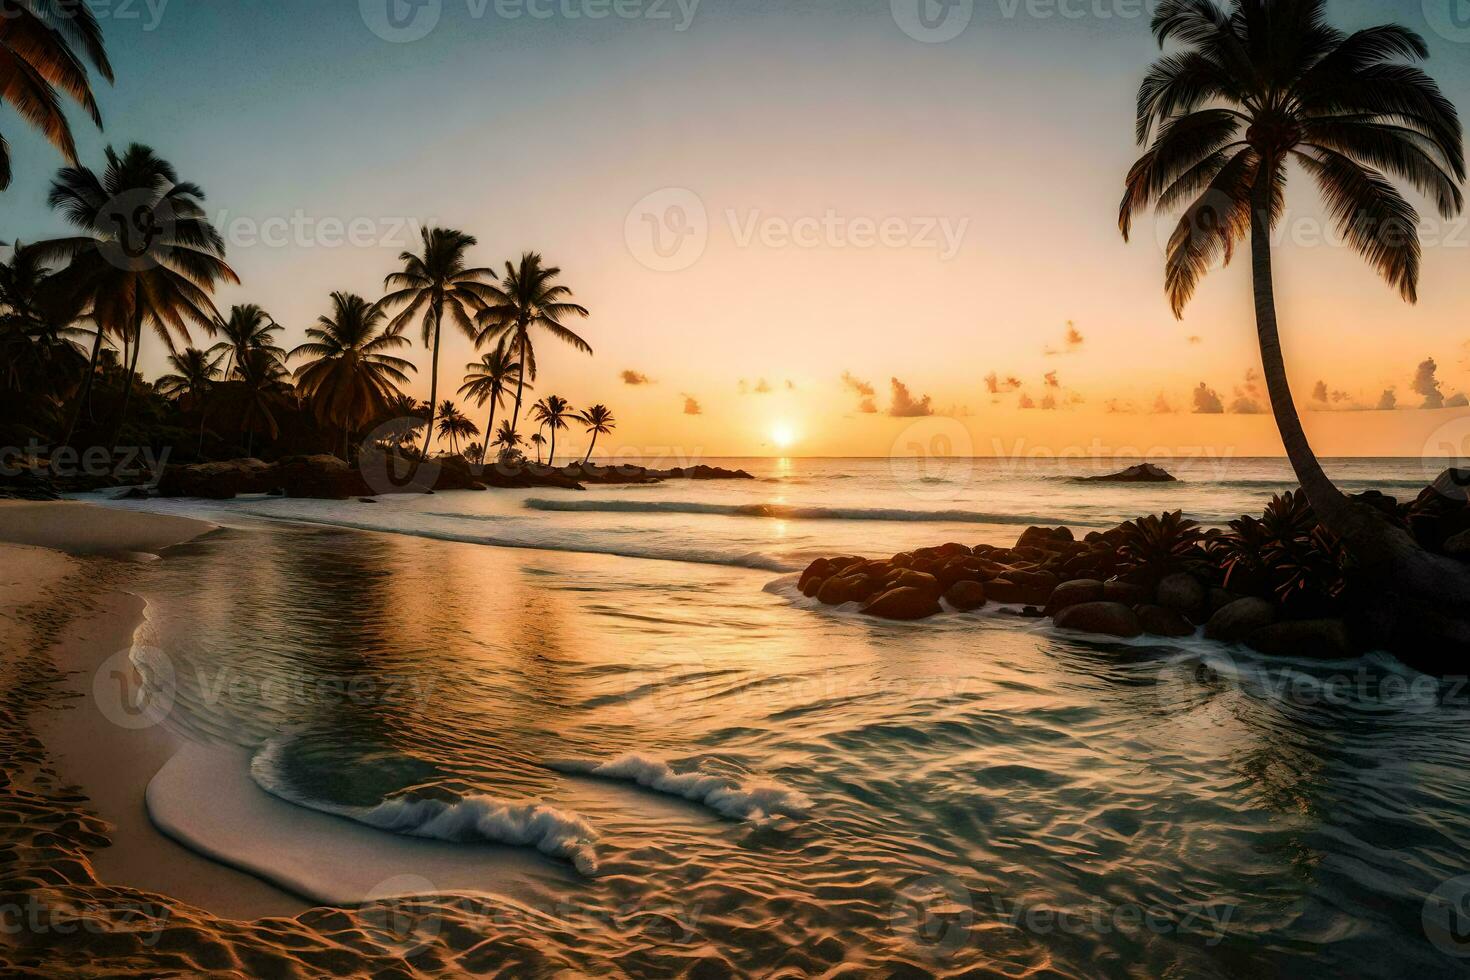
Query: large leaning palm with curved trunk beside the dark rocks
column 1247, row 92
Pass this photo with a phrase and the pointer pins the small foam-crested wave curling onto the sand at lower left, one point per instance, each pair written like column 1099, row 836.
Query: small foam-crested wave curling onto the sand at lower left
column 477, row 819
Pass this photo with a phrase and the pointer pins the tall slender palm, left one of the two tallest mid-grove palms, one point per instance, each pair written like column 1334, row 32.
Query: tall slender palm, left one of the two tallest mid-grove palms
column 431, row 287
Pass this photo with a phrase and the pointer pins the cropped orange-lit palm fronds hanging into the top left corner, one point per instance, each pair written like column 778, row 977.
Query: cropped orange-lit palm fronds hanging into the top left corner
column 39, row 55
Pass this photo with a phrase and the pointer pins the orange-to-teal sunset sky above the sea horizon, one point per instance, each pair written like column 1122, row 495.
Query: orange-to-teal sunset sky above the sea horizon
column 875, row 206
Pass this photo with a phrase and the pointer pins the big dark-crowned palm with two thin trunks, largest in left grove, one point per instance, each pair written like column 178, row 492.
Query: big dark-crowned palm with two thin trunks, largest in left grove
column 146, row 255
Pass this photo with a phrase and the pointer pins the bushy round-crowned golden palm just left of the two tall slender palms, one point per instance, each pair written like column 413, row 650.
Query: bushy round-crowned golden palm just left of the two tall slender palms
column 352, row 377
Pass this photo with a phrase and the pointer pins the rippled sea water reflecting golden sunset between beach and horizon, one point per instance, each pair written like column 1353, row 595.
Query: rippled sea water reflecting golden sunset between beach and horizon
column 978, row 793
